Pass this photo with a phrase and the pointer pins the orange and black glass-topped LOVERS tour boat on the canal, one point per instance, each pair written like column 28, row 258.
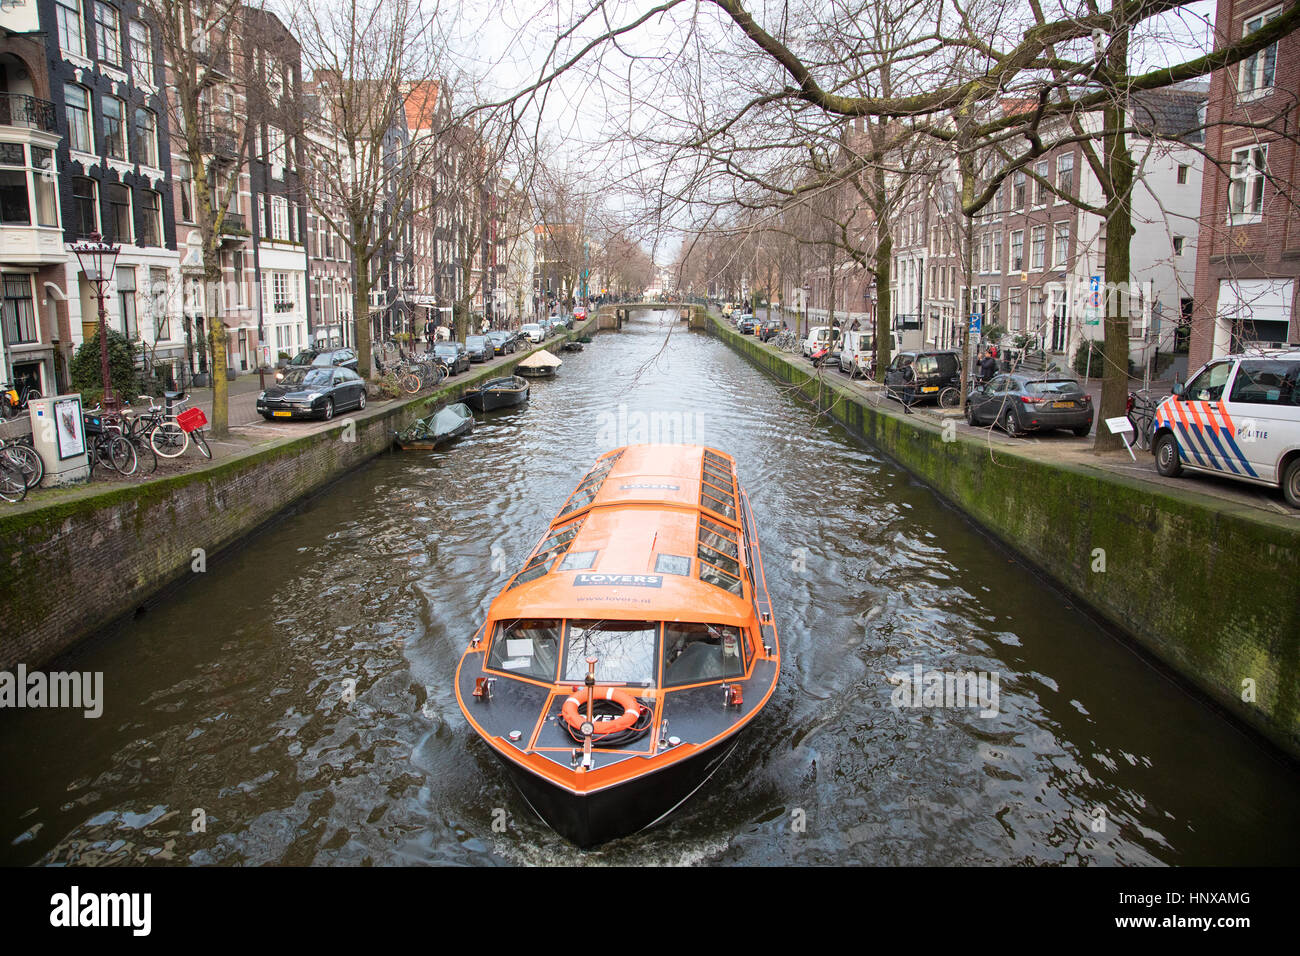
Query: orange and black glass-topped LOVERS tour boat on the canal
column 617, row 669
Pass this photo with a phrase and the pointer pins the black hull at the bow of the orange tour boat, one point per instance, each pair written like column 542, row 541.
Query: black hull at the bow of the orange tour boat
column 625, row 808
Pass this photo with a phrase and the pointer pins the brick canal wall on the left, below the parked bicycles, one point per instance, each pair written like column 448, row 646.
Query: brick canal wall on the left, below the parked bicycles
column 93, row 555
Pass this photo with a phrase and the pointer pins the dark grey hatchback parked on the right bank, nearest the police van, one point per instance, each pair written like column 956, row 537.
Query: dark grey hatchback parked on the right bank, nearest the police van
column 1024, row 404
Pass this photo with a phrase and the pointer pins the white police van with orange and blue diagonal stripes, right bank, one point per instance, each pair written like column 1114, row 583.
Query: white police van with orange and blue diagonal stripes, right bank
column 1238, row 417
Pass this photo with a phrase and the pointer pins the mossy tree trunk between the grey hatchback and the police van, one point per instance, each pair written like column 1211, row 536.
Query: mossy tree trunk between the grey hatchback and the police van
column 1120, row 170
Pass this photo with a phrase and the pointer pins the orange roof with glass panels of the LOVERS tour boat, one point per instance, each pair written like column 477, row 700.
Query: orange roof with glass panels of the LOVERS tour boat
column 630, row 544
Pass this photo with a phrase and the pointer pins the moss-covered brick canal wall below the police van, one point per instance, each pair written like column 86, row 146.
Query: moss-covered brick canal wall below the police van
column 1208, row 589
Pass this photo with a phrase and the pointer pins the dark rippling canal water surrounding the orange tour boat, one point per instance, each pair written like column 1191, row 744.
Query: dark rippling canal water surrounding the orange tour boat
column 294, row 704
